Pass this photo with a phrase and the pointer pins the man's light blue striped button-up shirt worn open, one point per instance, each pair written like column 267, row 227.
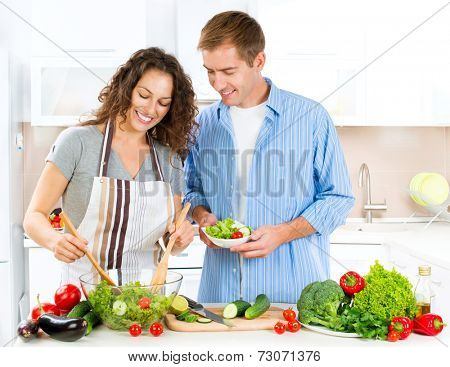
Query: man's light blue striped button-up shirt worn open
column 298, row 169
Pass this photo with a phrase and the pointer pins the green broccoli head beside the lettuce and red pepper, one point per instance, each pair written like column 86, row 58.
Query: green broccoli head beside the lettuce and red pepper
column 319, row 303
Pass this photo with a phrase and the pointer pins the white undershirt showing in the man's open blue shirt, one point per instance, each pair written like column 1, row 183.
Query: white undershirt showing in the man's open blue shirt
column 247, row 123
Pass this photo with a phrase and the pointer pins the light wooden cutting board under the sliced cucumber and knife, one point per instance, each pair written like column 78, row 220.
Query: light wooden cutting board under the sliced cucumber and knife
column 265, row 322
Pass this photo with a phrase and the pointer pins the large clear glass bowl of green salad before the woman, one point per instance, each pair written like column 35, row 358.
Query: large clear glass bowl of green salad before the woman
column 133, row 300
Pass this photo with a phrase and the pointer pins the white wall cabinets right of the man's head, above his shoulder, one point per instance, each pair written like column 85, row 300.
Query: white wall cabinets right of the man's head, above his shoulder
column 351, row 57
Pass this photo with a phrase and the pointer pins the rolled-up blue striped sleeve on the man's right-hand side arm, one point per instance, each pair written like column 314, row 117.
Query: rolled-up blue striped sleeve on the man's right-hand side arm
column 333, row 198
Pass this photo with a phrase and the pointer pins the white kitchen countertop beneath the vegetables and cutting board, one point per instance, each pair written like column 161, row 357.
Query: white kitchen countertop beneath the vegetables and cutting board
column 263, row 339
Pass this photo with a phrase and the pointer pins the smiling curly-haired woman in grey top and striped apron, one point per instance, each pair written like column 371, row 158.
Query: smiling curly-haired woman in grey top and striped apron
column 120, row 175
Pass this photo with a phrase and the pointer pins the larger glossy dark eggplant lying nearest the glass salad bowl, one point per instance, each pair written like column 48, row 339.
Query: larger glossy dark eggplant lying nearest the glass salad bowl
column 65, row 329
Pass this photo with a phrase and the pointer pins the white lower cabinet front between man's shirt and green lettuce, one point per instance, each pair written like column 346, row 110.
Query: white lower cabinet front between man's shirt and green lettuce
column 354, row 257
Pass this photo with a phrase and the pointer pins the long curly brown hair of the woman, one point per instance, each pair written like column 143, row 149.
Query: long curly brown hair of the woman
column 178, row 127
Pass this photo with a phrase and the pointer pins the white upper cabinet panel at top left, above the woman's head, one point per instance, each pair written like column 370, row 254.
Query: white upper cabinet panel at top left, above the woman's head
column 83, row 26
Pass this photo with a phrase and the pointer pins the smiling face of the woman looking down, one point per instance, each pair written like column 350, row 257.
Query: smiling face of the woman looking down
column 150, row 100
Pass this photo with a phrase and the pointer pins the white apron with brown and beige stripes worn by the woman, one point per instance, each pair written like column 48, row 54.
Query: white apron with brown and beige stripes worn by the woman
column 124, row 219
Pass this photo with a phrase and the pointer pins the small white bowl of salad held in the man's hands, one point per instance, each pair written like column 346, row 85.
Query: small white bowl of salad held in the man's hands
column 228, row 233
